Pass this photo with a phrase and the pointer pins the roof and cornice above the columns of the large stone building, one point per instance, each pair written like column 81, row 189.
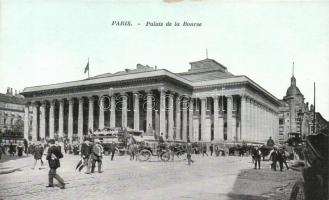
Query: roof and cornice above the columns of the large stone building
column 204, row 73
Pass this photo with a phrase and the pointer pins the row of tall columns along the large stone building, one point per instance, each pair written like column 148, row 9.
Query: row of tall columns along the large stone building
column 177, row 117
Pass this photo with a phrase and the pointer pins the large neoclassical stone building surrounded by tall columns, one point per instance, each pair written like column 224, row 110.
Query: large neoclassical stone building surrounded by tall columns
column 206, row 103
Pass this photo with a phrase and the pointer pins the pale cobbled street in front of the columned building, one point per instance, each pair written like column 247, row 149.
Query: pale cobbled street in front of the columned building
column 221, row 178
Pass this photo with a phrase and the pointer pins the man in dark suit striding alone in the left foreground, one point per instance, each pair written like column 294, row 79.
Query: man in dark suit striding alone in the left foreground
column 53, row 155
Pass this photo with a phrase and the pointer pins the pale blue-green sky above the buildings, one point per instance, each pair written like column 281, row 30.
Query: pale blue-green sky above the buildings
column 48, row 41
